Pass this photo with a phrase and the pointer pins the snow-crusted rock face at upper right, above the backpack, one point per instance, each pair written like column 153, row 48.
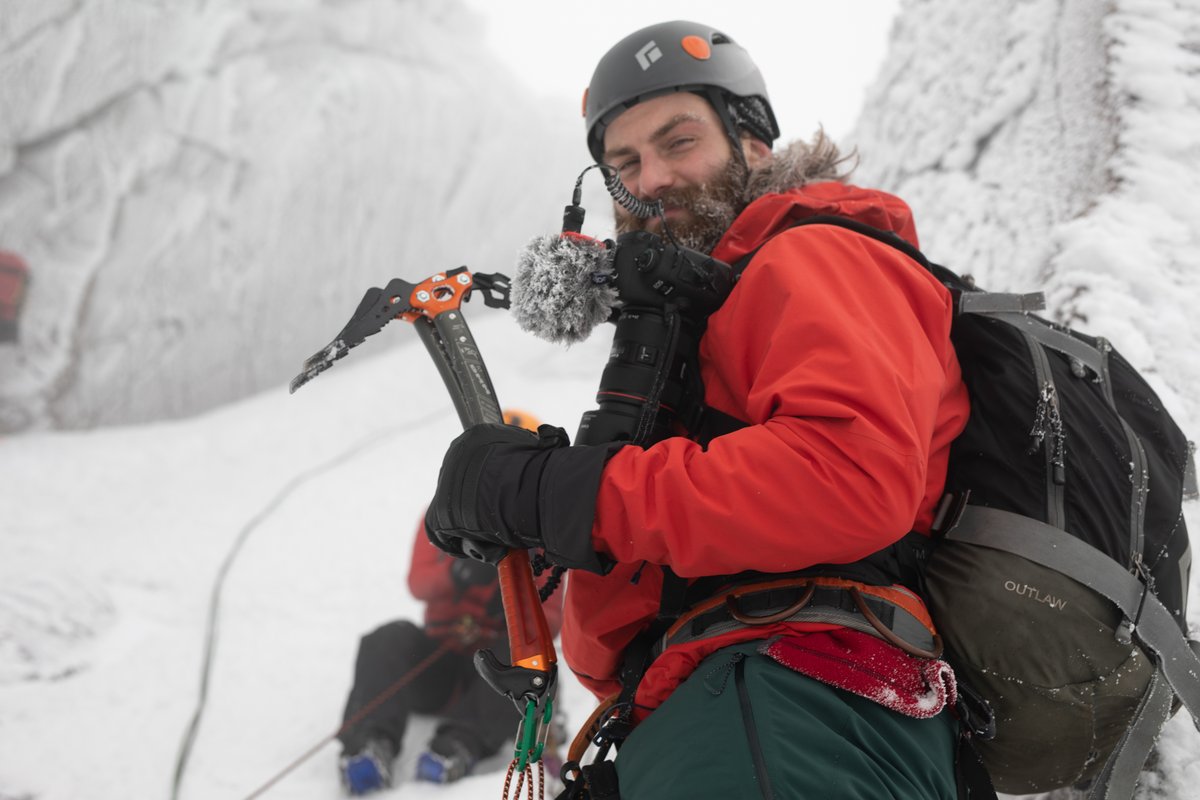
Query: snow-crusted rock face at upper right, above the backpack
column 1042, row 146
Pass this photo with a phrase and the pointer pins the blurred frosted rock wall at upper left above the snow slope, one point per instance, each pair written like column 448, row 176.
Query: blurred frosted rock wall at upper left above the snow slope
column 203, row 190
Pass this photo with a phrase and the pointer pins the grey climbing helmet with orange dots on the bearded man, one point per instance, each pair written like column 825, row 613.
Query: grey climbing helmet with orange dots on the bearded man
column 680, row 57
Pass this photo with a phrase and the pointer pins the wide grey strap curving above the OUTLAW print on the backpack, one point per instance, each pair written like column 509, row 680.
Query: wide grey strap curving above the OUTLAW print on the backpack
column 1156, row 628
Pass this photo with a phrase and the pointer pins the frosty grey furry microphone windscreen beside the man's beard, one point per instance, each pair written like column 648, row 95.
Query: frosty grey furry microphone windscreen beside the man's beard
column 562, row 288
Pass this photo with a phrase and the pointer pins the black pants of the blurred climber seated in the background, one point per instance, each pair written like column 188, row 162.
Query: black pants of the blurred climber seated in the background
column 472, row 711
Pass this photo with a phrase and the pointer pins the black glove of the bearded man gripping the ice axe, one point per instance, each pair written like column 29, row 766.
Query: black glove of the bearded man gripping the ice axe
column 503, row 488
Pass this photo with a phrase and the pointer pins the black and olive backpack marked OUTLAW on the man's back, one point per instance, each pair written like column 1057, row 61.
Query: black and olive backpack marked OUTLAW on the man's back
column 1060, row 574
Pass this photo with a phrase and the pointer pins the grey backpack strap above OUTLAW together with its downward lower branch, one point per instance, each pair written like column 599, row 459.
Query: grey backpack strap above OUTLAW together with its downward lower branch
column 1177, row 659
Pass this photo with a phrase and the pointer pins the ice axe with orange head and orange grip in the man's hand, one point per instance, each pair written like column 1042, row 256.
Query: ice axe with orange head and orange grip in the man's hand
column 435, row 309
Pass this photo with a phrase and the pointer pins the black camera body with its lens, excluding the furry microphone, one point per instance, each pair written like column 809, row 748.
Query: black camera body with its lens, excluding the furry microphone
column 667, row 294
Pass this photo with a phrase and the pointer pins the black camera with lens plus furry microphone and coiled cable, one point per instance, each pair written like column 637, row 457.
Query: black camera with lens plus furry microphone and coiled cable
column 658, row 293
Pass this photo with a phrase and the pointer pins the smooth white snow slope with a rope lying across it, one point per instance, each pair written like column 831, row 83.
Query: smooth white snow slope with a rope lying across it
column 115, row 540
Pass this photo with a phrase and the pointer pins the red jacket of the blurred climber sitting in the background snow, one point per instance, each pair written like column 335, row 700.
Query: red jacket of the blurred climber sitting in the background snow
column 448, row 609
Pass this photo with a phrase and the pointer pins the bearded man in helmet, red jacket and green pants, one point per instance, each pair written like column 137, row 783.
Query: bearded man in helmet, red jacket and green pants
column 770, row 544
